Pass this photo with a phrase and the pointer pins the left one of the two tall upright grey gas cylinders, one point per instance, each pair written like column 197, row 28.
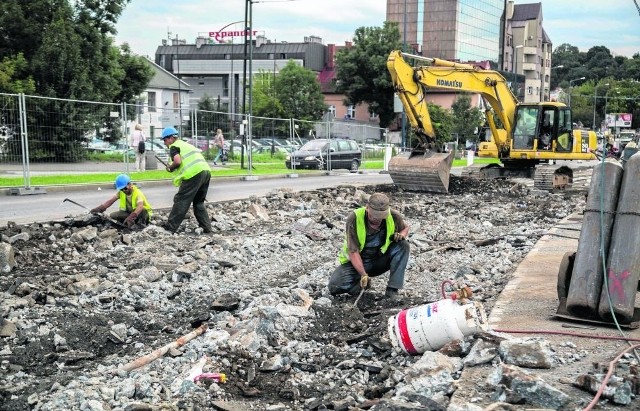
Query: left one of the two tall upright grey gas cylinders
column 586, row 277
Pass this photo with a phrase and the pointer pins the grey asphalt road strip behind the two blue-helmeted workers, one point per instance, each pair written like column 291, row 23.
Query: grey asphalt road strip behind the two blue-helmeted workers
column 51, row 206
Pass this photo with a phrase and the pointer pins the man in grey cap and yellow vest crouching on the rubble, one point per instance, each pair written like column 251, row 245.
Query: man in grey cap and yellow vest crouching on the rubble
column 375, row 242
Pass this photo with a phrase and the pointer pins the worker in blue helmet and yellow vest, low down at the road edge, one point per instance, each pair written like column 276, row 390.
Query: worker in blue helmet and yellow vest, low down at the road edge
column 134, row 207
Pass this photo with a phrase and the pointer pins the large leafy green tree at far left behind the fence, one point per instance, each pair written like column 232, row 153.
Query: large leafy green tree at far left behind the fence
column 70, row 54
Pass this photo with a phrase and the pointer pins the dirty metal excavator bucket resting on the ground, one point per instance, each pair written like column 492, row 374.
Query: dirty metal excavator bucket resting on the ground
column 422, row 171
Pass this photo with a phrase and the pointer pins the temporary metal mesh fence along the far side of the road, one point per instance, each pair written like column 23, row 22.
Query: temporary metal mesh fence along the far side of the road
column 62, row 136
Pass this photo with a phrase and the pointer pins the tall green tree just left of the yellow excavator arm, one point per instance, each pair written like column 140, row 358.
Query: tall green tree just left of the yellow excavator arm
column 362, row 74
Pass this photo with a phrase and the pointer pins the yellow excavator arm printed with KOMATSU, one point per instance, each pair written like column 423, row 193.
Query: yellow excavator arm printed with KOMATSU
column 412, row 83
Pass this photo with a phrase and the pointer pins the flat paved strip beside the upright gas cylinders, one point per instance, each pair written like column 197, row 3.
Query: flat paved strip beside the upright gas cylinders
column 529, row 302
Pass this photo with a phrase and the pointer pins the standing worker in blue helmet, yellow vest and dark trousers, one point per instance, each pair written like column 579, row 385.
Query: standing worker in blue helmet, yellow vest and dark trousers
column 193, row 175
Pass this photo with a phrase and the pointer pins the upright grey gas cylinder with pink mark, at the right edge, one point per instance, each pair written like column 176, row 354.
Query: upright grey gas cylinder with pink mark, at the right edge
column 623, row 260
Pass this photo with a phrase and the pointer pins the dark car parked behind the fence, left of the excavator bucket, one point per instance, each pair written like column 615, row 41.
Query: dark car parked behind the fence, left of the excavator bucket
column 324, row 154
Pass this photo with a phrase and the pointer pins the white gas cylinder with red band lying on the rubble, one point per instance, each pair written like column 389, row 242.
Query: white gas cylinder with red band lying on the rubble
column 429, row 327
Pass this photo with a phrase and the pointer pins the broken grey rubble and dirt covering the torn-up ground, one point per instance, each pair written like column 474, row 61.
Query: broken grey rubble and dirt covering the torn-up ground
column 81, row 302
